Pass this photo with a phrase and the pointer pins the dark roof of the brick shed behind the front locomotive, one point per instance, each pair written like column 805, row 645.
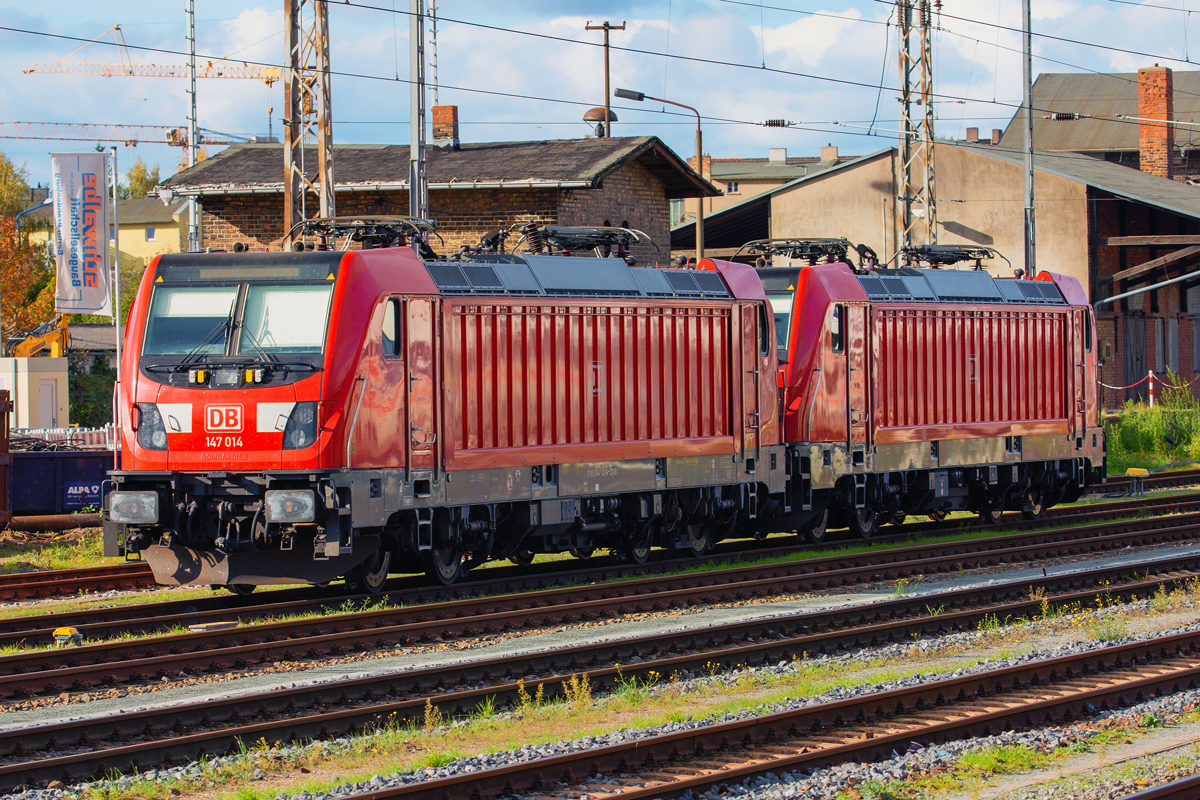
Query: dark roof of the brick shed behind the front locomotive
column 584, row 163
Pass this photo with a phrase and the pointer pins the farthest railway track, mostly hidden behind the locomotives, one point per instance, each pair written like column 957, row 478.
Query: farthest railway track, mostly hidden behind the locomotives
column 58, row 584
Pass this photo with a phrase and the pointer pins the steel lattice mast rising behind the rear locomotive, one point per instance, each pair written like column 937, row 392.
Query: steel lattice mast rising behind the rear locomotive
column 916, row 184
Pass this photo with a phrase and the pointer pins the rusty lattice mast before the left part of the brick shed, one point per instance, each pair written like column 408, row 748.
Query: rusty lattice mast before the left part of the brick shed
column 309, row 109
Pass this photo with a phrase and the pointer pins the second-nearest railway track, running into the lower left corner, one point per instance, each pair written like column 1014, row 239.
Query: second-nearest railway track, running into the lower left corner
column 81, row 749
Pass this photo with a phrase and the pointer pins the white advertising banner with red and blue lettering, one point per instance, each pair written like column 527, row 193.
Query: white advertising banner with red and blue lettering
column 82, row 215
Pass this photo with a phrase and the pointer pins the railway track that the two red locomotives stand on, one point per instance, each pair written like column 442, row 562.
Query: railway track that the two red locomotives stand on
column 149, row 618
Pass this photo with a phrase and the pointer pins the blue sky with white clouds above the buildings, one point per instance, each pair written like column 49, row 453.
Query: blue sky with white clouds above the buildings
column 524, row 70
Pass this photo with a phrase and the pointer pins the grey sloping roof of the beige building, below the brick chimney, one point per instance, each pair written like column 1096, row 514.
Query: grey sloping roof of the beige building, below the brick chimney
column 1123, row 182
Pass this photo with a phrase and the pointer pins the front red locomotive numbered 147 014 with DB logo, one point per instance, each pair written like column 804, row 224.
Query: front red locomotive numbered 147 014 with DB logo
column 303, row 417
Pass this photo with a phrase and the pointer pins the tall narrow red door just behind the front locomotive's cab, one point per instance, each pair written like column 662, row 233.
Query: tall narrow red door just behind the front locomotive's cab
column 423, row 428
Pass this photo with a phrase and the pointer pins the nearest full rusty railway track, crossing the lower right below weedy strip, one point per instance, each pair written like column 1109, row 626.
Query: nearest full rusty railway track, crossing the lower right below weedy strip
column 698, row 760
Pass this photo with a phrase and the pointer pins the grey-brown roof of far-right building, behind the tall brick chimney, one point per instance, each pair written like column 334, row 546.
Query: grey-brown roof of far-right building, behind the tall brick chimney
column 1103, row 95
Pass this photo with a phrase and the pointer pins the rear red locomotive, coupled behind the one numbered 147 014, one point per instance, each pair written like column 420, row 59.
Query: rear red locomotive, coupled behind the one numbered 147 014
column 931, row 390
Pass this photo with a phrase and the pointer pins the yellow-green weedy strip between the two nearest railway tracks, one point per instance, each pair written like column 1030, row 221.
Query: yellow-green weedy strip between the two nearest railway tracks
column 637, row 702
